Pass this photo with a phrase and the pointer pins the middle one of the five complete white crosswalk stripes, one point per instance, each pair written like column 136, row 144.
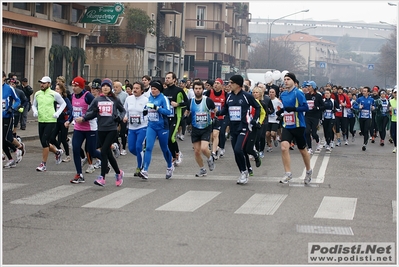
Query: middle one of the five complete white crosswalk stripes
column 189, row 201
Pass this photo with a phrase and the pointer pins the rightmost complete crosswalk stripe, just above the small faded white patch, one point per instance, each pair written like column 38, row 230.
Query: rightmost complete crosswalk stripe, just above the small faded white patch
column 341, row 208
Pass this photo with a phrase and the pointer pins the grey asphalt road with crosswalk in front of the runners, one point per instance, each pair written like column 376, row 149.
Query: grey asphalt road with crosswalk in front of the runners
column 197, row 220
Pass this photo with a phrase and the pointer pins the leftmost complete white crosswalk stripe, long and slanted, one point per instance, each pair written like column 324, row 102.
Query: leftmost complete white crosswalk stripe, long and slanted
column 51, row 195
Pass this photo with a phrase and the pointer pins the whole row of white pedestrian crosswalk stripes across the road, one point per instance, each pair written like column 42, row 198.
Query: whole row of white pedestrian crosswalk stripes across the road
column 330, row 207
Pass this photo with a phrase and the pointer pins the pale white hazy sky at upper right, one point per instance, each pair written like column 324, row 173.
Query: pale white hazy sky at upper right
column 367, row 11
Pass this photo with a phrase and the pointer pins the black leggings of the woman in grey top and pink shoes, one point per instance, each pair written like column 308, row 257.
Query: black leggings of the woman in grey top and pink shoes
column 106, row 138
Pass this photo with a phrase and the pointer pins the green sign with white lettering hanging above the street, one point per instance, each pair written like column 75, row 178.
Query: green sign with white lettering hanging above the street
column 103, row 14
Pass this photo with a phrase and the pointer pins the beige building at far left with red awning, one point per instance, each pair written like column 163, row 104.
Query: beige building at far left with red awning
column 30, row 31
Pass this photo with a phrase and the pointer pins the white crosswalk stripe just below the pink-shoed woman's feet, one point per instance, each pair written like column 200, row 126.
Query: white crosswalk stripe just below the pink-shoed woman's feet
column 119, row 199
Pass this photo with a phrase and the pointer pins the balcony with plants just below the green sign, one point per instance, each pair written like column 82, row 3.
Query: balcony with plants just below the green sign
column 117, row 37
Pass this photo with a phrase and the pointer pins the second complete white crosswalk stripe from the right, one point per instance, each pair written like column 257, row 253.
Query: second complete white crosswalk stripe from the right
column 262, row 204
